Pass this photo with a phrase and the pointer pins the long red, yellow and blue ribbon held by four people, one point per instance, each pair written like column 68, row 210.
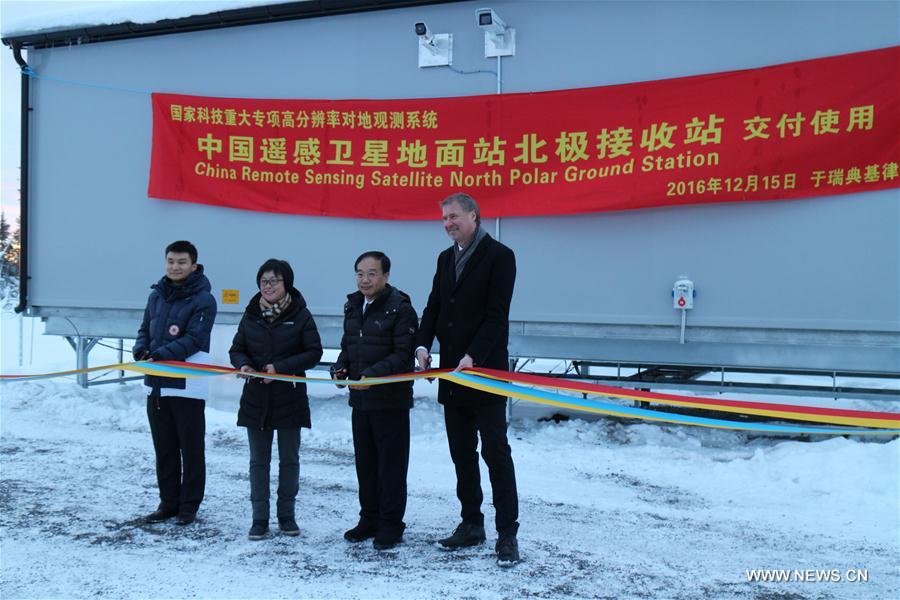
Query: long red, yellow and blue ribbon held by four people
column 512, row 384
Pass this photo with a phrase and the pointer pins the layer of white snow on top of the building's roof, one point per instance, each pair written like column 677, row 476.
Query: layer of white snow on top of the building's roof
column 92, row 14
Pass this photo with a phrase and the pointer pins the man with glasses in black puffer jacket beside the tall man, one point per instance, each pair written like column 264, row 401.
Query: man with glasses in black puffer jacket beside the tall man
column 379, row 327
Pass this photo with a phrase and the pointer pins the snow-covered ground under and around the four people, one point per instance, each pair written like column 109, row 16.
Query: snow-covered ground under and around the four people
column 608, row 510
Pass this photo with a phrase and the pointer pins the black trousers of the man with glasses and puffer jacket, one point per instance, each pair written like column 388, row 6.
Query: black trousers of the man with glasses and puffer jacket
column 381, row 446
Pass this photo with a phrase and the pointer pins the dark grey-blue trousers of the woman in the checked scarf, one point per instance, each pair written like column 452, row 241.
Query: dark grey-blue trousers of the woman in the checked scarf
column 288, row 471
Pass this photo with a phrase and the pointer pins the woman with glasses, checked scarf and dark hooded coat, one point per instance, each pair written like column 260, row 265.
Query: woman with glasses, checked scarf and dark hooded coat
column 277, row 334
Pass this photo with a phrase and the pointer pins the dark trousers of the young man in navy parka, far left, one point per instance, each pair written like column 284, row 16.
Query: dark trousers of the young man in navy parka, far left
column 178, row 427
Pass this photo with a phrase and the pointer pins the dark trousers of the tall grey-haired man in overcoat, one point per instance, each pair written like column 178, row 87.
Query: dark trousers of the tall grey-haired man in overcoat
column 464, row 423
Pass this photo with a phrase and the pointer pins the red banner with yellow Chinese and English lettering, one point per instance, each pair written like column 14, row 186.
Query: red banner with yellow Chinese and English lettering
column 812, row 128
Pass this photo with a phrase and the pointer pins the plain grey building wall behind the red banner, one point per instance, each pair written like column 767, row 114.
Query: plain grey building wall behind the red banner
column 809, row 283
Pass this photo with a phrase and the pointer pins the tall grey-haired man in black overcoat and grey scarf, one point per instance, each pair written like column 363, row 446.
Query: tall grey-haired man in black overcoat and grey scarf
column 468, row 312
